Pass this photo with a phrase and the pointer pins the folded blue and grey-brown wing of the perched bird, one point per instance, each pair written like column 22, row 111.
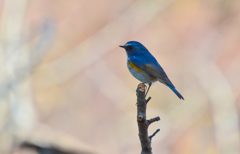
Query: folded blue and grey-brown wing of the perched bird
column 151, row 66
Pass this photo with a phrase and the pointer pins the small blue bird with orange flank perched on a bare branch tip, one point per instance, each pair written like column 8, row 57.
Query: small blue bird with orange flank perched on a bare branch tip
column 144, row 67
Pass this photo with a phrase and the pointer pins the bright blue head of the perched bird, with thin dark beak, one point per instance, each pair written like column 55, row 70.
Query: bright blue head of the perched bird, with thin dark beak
column 133, row 47
